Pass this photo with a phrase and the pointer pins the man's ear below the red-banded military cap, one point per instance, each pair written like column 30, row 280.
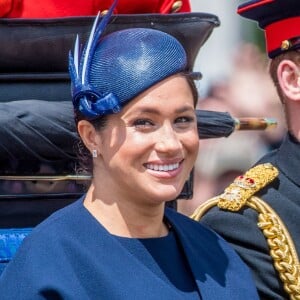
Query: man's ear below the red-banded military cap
column 288, row 74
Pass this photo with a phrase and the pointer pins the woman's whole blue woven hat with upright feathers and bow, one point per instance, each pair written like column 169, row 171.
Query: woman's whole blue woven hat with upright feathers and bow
column 114, row 68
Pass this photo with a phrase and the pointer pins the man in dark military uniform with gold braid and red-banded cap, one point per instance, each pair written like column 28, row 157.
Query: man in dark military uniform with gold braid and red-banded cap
column 259, row 213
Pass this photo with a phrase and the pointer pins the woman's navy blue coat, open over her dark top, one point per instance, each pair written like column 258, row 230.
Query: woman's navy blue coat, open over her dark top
column 72, row 256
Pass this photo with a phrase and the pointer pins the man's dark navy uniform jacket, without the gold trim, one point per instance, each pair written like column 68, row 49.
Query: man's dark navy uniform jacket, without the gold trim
column 240, row 228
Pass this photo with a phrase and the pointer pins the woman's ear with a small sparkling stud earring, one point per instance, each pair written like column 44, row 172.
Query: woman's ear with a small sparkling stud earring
column 89, row 136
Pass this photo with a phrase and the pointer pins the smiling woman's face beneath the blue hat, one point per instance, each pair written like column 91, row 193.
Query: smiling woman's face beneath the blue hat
column 148, row 149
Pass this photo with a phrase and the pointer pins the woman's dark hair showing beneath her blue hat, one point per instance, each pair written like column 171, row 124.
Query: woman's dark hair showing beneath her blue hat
column 84, row 156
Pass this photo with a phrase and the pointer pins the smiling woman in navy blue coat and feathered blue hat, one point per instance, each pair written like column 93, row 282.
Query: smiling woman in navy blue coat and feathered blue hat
column 134, row 103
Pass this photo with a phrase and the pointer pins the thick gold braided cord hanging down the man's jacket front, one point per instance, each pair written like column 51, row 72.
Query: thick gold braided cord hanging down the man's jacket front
column 281, row 245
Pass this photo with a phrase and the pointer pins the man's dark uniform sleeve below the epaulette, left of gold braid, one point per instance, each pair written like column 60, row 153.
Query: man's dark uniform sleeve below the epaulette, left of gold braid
column 241, row 231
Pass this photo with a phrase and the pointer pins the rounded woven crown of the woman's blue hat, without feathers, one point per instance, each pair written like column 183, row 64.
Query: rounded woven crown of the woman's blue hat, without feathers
column 127, row 62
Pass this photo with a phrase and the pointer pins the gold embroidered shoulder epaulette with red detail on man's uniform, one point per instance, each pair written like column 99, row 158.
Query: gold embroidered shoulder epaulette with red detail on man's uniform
column 245, row 186
